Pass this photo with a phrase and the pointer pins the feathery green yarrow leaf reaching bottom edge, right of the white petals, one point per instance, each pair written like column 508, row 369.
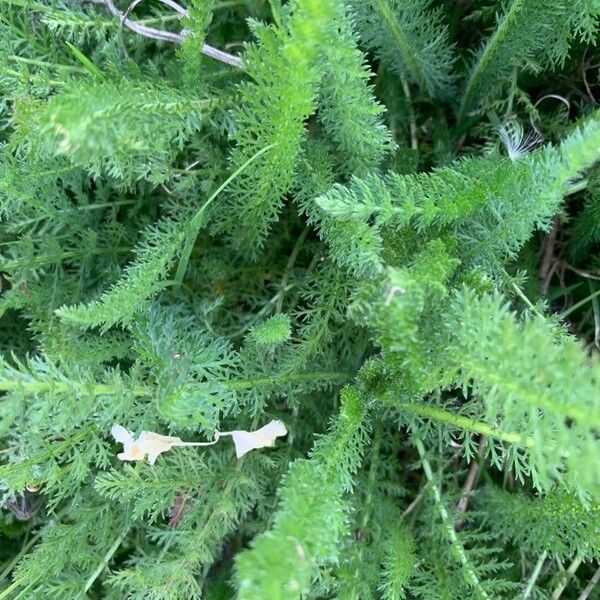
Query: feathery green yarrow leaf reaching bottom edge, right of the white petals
column 308, row 524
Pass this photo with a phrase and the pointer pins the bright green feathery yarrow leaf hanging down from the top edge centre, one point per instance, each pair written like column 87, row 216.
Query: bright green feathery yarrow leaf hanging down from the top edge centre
column 271, row 112
